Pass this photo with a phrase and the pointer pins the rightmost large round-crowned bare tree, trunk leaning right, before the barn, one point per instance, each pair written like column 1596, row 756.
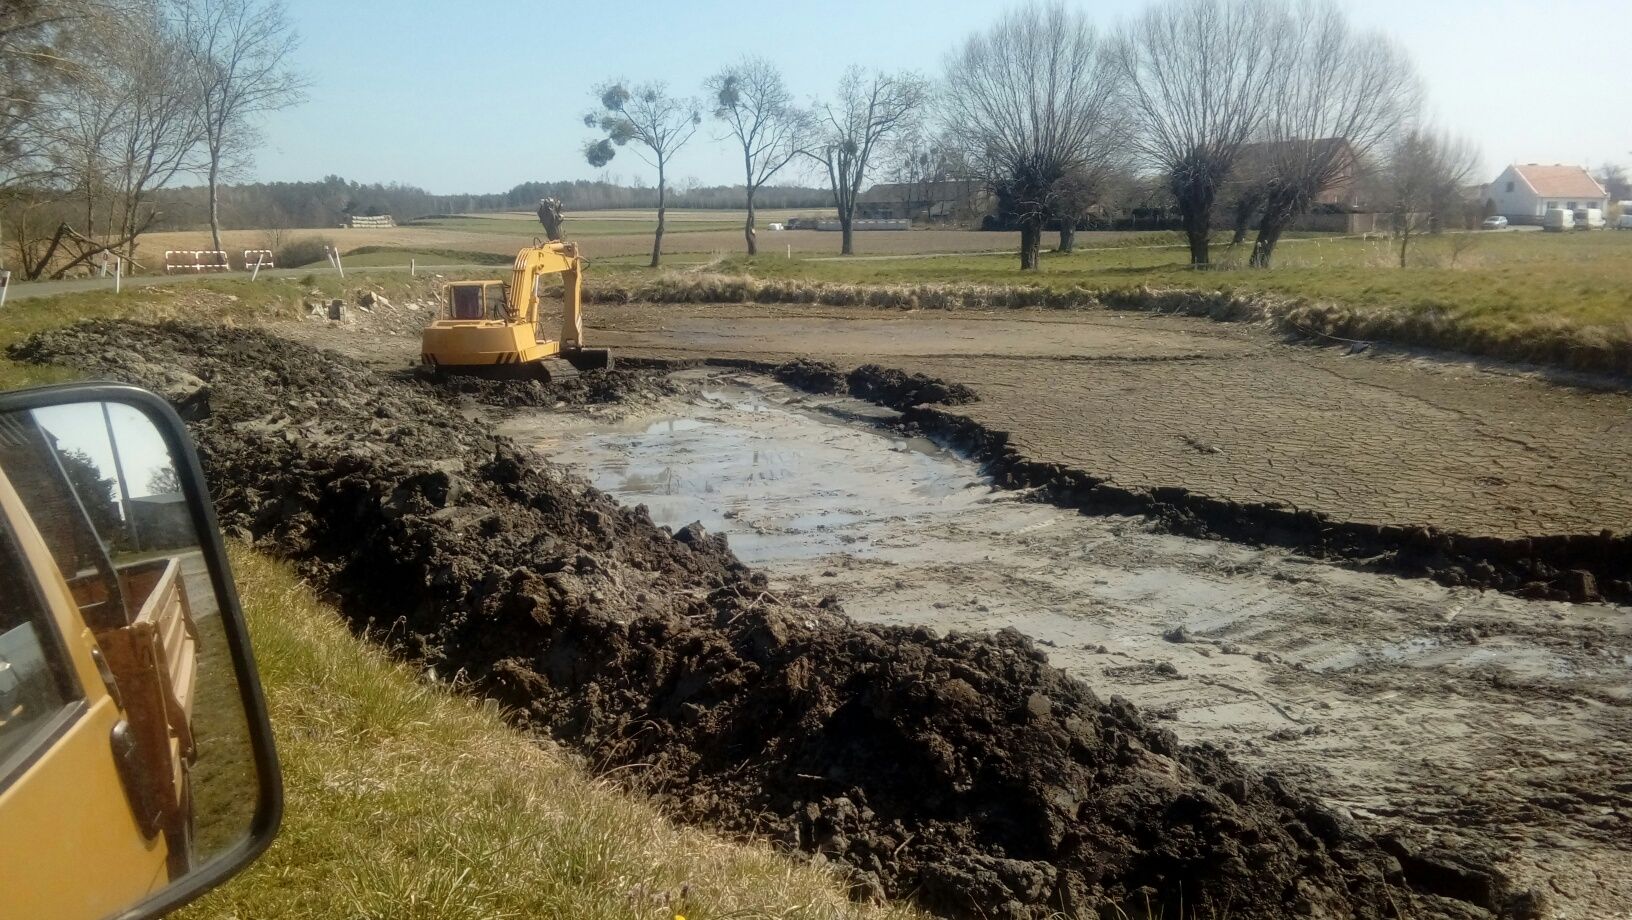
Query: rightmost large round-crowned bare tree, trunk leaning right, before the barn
column 1337, row 97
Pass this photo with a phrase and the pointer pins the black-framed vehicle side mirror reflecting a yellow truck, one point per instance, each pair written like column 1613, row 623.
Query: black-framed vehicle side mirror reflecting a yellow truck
column 138, row 767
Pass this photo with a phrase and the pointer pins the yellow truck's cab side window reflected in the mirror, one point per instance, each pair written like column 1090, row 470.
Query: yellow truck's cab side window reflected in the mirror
column 35, row 679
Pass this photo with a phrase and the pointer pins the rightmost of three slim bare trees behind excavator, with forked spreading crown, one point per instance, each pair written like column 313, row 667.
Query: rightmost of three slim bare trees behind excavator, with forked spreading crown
column 854, row 131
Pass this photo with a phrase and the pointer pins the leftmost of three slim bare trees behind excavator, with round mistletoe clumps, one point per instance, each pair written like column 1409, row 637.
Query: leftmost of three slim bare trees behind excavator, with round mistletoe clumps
column 655, row 122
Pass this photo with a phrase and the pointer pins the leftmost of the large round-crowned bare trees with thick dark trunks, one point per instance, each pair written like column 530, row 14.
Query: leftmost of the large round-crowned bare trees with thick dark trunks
column 1032, row 102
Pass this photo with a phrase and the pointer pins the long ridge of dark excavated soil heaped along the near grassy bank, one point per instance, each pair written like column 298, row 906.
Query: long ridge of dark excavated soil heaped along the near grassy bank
column 960, row 771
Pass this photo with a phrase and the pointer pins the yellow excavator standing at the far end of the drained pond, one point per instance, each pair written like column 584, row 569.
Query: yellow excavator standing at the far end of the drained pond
column 492, row 329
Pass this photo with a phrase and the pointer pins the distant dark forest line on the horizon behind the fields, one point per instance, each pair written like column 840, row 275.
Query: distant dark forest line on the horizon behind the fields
column 327, row 203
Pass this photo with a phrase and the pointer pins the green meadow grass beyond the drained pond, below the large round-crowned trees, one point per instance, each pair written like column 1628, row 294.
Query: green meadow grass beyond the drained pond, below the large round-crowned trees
column 1553, row 299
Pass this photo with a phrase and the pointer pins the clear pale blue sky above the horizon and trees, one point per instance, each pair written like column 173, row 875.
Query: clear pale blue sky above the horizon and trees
column 481, row 95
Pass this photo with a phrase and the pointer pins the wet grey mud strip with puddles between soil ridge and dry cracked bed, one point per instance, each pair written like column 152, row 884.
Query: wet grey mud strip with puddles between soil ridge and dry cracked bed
column 1437, row 710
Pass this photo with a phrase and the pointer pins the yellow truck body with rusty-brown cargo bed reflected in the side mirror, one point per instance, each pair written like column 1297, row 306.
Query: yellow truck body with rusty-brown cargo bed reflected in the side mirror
column 95, row 812
